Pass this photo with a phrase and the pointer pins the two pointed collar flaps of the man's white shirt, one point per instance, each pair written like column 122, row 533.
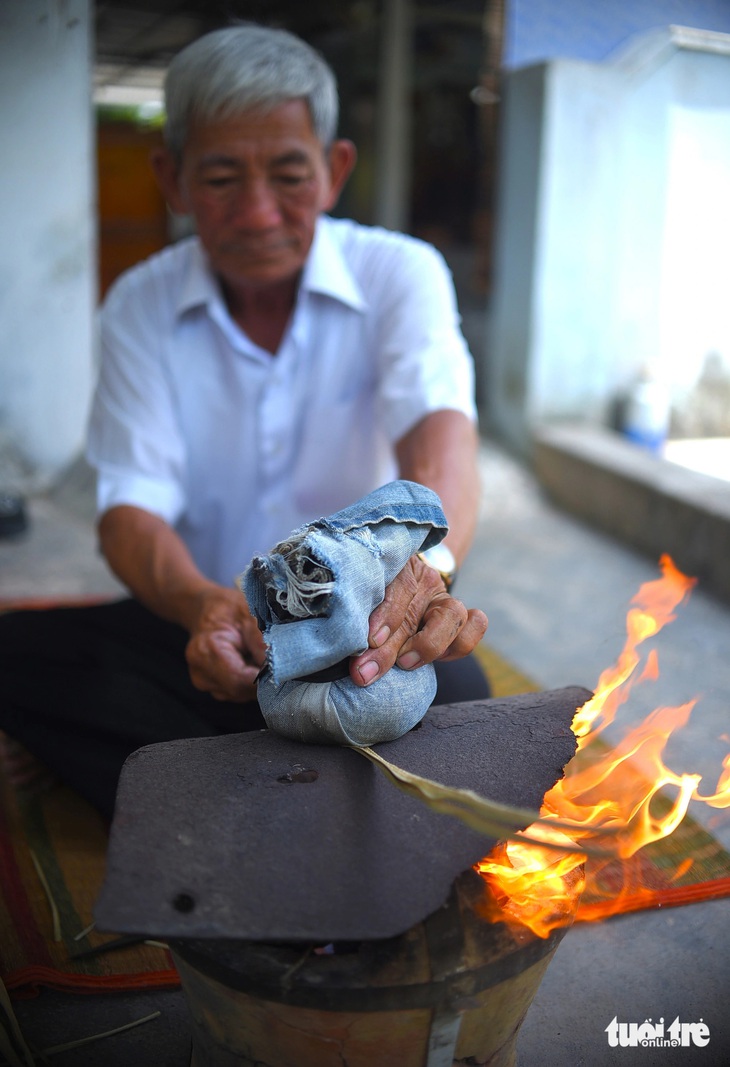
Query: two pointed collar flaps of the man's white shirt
column 326, row 272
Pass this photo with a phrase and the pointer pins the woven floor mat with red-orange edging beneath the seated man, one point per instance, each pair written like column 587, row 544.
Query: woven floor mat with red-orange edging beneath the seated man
column 58, row 839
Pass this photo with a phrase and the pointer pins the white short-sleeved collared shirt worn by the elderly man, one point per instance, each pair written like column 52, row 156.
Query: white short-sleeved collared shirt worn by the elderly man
column 236, row 448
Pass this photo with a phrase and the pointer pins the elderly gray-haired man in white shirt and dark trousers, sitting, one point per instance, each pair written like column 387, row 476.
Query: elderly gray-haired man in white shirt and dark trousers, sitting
column 273, row 370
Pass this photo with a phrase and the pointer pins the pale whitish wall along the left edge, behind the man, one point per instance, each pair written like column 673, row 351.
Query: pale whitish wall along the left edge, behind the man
column 47, row 252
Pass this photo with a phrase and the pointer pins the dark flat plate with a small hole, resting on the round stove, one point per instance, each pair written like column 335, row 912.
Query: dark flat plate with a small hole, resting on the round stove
column 256, row 837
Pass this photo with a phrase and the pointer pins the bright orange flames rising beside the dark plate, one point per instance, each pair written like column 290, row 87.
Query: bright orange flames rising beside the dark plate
column 620, row 788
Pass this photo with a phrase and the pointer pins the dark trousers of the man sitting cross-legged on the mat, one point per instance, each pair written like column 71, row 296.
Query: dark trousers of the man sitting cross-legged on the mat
column 84, row 688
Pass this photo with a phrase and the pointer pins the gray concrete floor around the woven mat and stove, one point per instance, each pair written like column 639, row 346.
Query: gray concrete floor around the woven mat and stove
column 557, row 594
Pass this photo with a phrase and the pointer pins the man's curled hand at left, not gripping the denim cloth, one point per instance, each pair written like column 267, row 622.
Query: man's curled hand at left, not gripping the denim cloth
column 226, row 651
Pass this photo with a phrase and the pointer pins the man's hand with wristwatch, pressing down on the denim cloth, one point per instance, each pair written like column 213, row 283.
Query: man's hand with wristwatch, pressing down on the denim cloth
column 417, row 624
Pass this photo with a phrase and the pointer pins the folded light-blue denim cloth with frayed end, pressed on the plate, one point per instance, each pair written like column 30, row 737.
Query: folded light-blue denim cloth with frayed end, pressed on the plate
column 313, row 596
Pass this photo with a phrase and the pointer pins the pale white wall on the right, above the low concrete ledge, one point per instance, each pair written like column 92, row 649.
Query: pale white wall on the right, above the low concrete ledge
column 614, row 230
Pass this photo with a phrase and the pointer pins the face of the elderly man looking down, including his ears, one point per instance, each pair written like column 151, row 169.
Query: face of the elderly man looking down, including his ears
column 257, row 184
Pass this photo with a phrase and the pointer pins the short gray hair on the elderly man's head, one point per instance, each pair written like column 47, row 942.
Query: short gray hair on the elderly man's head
column 246, row 68
